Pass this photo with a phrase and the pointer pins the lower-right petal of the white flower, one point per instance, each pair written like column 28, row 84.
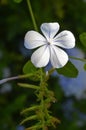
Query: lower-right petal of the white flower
column 58, row 57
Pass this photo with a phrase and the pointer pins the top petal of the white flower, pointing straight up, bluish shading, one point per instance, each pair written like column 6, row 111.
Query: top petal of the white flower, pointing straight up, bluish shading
column 49, row 29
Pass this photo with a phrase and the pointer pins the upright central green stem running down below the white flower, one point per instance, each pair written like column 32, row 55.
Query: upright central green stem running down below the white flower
column 42, row 93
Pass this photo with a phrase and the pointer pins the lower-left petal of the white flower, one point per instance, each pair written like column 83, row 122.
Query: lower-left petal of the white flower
column 40, row 57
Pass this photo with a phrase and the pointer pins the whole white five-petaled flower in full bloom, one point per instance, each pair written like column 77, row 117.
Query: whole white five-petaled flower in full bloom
column 49, row 45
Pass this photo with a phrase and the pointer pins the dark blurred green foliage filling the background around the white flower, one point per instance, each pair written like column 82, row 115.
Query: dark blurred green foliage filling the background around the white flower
column 15, row 21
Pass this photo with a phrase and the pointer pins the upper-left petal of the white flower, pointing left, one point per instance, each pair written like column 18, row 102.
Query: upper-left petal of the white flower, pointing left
column 34, row 39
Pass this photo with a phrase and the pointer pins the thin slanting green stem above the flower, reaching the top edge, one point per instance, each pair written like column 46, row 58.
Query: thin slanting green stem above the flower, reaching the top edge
column 32, row 15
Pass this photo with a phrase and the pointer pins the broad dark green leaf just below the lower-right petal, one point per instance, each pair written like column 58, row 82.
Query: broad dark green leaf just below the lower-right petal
column 69, row 70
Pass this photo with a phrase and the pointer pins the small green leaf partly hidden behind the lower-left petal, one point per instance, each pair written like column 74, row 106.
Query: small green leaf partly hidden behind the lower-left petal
column 29, row 68
